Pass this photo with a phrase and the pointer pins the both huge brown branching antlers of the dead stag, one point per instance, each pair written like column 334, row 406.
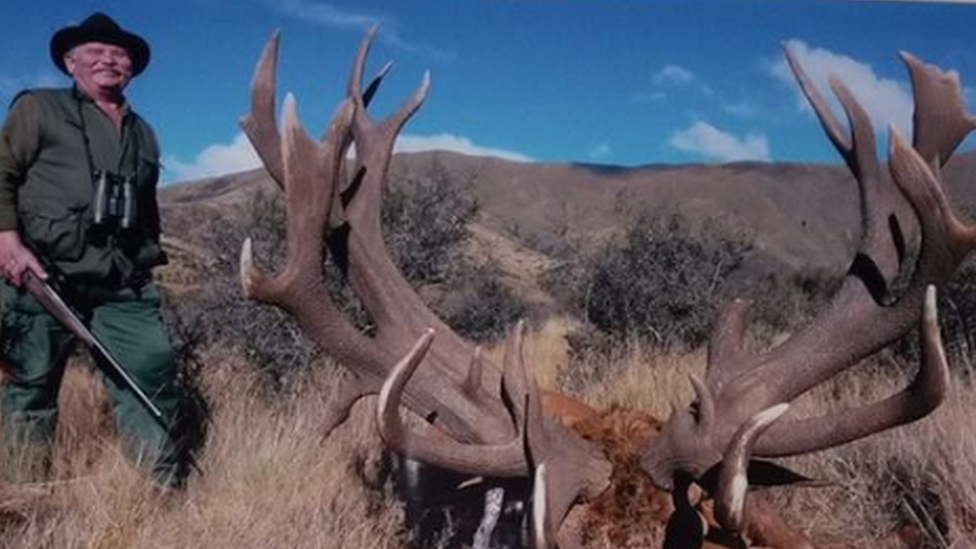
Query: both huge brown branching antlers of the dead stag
column 491, row 419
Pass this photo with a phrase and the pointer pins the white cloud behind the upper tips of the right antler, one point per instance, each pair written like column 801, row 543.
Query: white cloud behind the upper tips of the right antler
column 886, row 101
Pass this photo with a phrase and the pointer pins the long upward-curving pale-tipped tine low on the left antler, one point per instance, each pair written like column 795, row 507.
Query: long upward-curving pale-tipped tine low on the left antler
column 500, row 460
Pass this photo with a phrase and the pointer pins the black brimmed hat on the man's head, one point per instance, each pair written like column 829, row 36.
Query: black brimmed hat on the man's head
column 99, row 28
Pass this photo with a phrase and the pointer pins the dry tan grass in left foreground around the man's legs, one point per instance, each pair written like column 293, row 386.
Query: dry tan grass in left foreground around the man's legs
column 268, row 482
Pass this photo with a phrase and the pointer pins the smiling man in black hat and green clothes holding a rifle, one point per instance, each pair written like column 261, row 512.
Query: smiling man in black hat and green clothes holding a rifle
column 78, row 175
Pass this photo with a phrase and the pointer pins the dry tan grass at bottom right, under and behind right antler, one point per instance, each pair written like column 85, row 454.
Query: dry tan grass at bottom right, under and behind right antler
column 922, row 475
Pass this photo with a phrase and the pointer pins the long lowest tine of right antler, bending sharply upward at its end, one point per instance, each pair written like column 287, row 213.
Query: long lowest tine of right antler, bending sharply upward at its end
column 921, row 397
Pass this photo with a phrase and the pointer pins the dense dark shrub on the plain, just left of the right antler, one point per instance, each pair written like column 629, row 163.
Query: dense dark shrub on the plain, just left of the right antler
column 663, row 281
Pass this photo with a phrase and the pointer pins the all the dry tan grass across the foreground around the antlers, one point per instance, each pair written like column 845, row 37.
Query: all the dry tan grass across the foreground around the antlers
column 270, row 481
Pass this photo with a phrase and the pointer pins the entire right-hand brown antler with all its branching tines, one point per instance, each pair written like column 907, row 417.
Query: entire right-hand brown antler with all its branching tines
column 900, row 206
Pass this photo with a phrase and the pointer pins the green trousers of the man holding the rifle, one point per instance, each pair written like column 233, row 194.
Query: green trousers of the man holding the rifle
column 129, row 325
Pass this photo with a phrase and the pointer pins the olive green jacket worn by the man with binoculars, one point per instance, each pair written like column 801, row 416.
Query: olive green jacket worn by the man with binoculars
column 46, row 185
